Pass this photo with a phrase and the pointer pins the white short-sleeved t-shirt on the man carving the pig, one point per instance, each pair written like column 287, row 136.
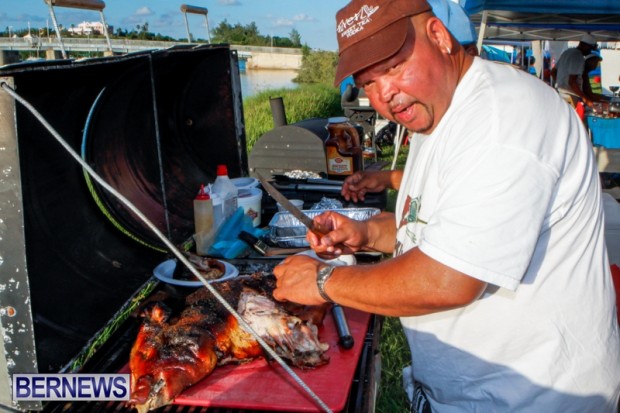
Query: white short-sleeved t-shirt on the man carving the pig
column 506, row 190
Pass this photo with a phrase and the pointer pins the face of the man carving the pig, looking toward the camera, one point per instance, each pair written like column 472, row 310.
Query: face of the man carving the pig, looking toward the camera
column 414, row 87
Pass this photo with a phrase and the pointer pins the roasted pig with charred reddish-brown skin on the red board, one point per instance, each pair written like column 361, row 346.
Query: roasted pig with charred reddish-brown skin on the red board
column 170, row 355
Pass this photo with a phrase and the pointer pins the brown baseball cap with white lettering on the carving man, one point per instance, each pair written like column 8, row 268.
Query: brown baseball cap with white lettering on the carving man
column 370, row 31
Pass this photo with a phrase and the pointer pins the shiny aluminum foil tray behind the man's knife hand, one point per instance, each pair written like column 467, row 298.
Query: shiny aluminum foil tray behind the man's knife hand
column 287, row 231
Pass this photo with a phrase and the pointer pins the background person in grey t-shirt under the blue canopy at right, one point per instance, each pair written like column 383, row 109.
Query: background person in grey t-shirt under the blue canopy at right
column 568, row 71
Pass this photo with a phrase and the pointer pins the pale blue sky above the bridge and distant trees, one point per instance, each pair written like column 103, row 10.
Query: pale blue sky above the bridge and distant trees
column 313, row 19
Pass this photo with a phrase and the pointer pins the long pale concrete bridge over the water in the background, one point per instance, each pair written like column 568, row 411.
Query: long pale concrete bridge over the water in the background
column 255, row 57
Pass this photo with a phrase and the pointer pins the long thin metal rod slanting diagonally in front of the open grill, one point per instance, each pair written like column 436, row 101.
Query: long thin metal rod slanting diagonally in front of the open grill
column 4, row 85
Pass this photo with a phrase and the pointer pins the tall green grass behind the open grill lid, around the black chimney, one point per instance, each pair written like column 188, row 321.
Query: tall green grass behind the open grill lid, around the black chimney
column 304, row 102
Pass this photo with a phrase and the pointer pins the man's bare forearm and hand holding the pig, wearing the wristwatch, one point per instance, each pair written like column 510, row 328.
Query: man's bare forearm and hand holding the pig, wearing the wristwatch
column 408, row 285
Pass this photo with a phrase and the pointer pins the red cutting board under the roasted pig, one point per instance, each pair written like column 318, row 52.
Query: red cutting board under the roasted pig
column 262, row 386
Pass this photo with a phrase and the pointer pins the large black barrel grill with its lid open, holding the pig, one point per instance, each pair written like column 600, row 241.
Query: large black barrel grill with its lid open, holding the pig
column 74, row 262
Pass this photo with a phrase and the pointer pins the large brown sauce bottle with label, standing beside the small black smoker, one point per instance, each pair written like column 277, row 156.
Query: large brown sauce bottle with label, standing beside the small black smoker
column 343, row 152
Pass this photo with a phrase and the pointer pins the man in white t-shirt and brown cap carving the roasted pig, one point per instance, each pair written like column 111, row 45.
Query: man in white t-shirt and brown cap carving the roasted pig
column 500, row 273
